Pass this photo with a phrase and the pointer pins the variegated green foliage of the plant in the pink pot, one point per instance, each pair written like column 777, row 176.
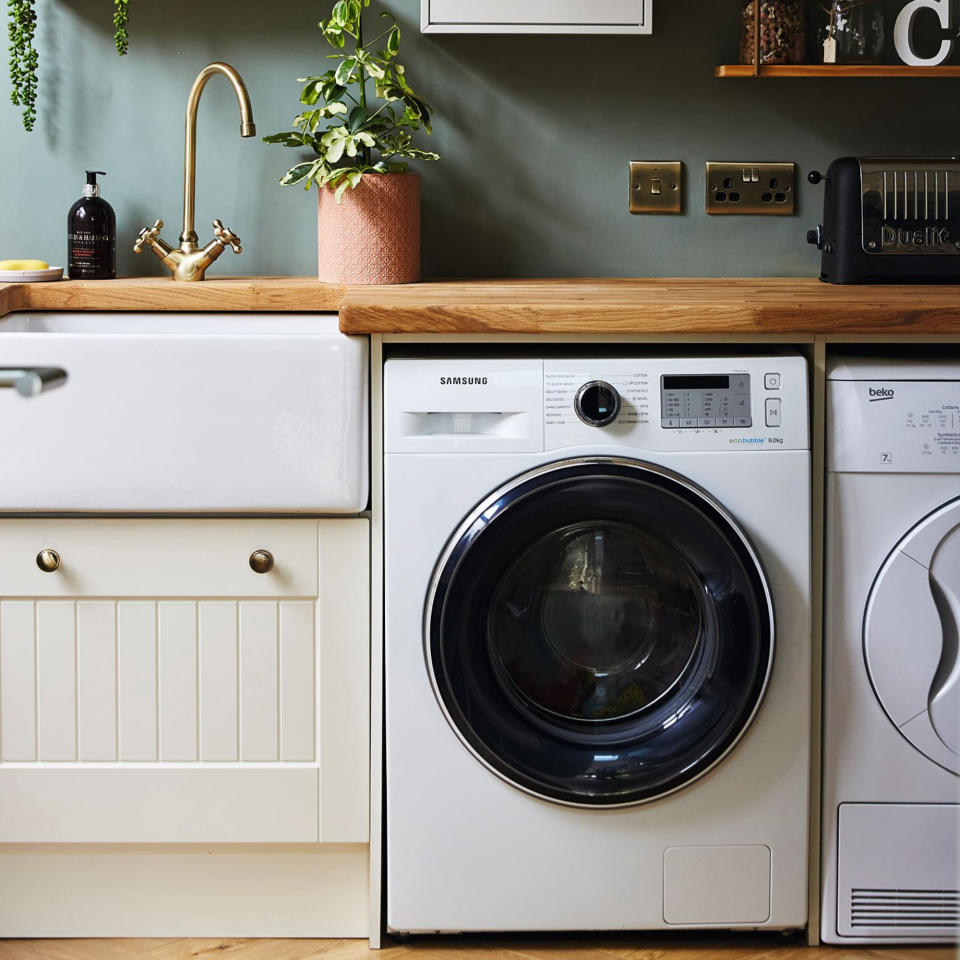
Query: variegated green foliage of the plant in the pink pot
column 350, row 131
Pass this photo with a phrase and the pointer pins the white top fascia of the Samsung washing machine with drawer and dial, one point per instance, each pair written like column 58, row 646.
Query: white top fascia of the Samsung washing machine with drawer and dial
column 518, row 404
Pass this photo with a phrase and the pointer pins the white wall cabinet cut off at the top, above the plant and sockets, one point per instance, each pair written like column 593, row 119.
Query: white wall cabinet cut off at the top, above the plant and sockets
column 537, row 16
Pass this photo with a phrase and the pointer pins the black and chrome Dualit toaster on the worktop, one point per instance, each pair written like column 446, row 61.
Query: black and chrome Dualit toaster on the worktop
column 890, row 220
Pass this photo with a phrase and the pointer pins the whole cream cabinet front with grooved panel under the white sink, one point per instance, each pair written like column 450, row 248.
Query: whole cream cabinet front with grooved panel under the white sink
column 154, row 688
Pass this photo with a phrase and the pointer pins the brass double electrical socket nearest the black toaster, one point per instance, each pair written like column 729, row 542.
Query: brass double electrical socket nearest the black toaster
column 751, row 188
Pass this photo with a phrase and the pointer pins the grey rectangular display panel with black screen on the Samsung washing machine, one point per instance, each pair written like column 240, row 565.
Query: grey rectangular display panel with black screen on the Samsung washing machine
column 689, row 401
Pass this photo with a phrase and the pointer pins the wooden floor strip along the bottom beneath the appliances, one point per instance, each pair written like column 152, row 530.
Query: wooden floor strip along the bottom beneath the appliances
column 516, row 947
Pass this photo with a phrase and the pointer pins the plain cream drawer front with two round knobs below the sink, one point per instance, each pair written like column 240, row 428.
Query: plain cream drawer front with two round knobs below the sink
column 158, row 558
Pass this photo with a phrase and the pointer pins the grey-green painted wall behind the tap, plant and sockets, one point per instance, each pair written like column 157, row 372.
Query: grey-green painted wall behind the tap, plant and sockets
column 536, row 133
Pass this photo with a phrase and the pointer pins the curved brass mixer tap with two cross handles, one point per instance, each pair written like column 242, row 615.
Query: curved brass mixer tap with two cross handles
column 190, row 261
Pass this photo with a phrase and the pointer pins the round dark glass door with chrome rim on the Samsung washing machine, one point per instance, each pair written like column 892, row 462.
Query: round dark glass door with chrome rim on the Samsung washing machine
column 599, row 632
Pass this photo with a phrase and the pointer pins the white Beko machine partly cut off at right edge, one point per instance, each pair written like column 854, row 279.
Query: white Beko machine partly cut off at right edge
column 891, row 770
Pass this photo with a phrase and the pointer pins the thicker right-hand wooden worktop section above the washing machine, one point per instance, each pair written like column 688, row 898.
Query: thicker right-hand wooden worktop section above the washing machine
column 728, row 306
